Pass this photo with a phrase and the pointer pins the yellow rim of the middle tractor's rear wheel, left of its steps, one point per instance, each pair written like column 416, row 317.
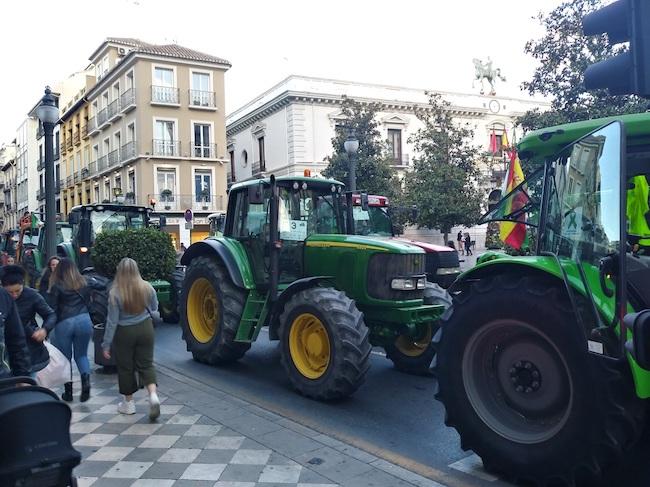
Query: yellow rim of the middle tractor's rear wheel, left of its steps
column 203, row 310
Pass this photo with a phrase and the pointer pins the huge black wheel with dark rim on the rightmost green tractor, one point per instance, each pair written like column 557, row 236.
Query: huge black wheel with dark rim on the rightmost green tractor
column 558, row 431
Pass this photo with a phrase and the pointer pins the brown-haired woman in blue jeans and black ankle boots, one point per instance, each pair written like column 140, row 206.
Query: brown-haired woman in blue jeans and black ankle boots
column 68, row 294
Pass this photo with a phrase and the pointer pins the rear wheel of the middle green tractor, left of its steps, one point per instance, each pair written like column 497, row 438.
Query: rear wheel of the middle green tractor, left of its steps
column 215, row 346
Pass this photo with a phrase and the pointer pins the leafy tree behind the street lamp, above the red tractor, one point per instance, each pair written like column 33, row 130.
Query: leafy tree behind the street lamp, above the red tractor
column 374, row 173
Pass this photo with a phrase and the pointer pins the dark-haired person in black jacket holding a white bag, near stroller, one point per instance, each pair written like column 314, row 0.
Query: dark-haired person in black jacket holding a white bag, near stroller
column 30, row 303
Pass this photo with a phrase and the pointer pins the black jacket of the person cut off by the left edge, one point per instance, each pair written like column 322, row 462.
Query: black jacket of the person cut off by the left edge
column 14, row 357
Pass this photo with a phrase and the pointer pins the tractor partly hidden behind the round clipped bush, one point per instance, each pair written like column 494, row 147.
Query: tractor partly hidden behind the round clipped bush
column 90, row 220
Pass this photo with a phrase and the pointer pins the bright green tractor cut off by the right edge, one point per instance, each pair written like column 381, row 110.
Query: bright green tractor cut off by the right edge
column 543, row 361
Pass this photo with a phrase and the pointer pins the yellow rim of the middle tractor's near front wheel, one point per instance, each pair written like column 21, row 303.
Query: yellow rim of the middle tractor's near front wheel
column 309, row 346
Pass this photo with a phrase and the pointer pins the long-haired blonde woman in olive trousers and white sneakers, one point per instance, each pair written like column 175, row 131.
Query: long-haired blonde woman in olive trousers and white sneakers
column 129, row 328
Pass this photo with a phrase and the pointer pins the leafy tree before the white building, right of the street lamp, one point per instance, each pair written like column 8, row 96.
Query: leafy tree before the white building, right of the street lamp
column 443, row 183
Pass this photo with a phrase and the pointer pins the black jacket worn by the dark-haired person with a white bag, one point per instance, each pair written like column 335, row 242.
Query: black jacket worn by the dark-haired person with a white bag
column 29, row 304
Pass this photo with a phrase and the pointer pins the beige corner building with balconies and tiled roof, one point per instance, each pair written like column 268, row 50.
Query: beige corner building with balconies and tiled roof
column 154, row 133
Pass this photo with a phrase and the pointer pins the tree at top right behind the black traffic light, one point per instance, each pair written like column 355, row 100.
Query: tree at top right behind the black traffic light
column 564, row 53
